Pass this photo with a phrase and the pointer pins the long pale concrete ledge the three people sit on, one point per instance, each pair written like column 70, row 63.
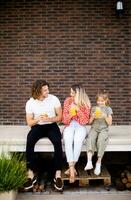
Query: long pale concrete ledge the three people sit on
column 13, row 138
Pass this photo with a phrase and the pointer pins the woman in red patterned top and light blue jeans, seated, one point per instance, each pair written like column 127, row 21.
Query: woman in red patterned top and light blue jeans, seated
column 75, row 116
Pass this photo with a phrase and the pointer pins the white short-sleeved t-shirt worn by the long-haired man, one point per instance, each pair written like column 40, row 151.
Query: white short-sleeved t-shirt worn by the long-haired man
column 46, row 106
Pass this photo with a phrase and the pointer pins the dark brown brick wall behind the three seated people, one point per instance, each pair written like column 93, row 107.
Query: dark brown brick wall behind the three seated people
column 64, row 42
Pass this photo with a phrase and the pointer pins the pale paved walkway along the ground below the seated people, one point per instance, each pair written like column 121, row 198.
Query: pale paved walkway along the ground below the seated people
column 77, row 194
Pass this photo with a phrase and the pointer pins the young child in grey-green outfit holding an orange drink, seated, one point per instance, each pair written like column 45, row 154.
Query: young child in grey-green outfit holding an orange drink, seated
column 101, row 118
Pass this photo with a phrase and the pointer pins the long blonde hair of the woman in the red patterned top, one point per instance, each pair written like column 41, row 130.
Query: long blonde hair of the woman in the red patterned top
column 81, row 98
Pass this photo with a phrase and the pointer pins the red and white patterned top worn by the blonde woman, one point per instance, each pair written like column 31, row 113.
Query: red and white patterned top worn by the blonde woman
column 82, row 115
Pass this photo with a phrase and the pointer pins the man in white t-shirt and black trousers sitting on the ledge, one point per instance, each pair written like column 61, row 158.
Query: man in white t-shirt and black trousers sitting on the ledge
column 43, row 110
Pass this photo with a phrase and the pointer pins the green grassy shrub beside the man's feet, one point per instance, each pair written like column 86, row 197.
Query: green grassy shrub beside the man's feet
column 12, row 173
